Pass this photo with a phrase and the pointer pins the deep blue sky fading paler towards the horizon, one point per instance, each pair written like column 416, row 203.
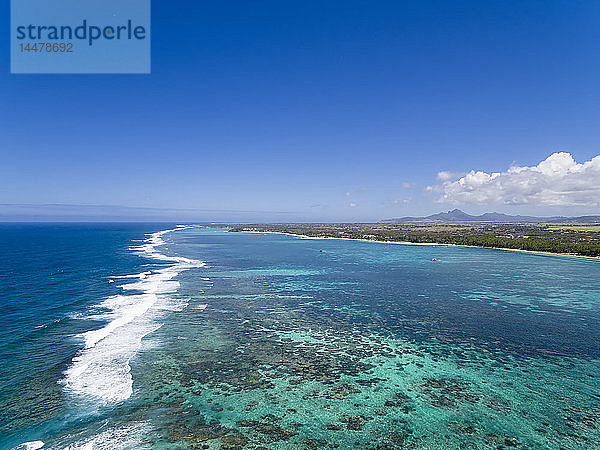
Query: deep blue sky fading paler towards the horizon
column 300, row 110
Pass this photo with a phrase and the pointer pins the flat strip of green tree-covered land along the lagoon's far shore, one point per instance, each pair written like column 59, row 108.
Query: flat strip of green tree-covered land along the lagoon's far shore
column 567, row 239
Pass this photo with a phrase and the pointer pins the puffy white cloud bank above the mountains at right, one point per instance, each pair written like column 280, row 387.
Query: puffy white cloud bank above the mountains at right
column 557, row 181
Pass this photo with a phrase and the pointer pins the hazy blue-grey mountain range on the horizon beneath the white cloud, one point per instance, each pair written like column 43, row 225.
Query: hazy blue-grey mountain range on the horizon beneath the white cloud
column 457, row 216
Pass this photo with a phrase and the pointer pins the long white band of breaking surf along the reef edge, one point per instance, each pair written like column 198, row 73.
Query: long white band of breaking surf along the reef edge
column 100, row 372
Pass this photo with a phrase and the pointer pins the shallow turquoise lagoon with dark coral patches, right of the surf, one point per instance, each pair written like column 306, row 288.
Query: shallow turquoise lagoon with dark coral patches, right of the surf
column 325, row 343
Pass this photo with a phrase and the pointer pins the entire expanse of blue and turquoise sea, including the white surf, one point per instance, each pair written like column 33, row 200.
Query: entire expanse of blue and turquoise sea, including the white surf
column 274, row 341
